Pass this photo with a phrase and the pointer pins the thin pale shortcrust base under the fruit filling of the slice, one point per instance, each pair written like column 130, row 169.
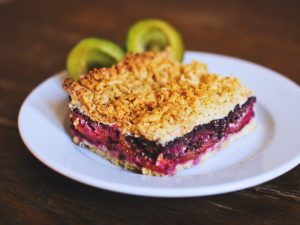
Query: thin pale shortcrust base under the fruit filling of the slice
column 103, row 151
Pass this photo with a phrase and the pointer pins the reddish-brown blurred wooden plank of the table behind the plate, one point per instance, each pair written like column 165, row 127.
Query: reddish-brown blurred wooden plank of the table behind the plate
column 36, row 36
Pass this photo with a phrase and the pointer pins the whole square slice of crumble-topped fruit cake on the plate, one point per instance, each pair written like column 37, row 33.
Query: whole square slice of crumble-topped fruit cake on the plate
column 154, row 115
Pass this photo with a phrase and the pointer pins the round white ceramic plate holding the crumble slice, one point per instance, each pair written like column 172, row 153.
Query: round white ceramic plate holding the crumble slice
column 271, row 150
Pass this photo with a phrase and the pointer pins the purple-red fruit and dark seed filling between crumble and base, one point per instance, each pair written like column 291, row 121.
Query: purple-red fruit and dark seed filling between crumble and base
column 144, row 155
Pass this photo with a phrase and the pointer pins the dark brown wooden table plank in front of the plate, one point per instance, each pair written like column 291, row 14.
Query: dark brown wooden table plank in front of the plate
column 30, row 193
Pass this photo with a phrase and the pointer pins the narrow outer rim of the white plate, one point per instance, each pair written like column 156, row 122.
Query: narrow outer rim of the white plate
column 161, row 192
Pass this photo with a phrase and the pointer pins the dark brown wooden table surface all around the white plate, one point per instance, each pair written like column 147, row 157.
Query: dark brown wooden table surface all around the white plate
column 35, row 38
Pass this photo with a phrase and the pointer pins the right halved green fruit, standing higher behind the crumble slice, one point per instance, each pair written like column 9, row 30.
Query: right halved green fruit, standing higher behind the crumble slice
column 154, row 34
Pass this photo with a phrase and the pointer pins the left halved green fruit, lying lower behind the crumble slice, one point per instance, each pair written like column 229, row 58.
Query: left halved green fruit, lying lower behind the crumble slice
column 92, row 53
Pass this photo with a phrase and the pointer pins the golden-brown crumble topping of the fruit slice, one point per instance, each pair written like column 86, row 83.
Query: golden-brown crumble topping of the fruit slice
column 153, row 96
